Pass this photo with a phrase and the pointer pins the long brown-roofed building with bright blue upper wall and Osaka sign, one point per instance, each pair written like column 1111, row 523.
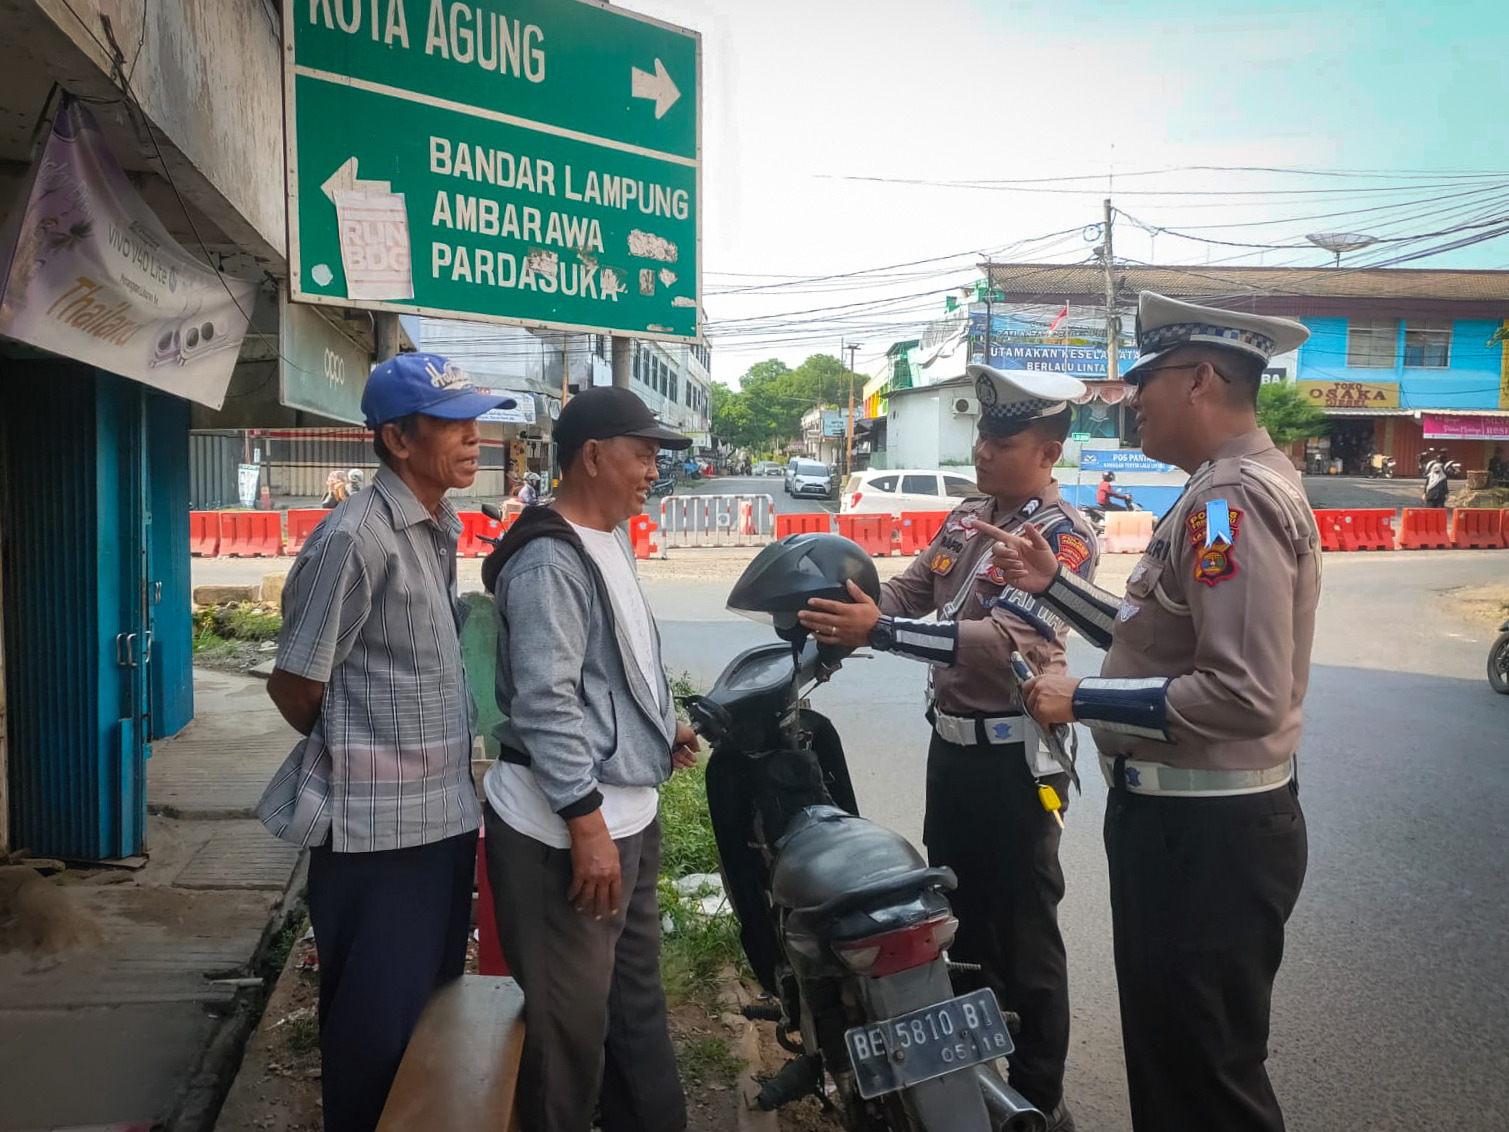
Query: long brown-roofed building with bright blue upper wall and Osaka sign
column 1400, row 360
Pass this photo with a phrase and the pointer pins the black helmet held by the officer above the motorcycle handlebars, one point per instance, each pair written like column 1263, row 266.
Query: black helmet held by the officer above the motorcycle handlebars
column 790, row 573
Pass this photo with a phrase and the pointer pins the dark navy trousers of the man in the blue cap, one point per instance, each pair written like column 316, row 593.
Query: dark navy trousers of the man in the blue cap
column 392, row 927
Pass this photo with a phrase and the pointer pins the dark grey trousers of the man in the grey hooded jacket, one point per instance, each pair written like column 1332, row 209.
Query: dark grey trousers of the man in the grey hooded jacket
column 595, row 1027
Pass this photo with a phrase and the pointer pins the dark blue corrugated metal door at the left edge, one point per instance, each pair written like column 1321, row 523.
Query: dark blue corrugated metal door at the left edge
column 73, row 488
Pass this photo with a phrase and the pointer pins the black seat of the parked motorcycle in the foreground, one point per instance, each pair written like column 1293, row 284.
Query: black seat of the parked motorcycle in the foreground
column 829, row 855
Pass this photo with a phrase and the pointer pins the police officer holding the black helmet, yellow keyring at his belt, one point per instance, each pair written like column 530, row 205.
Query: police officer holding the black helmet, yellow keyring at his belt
column 992, row 786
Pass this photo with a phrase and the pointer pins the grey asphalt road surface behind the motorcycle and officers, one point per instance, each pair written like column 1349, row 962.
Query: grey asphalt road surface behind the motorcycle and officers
column 1392, row 1010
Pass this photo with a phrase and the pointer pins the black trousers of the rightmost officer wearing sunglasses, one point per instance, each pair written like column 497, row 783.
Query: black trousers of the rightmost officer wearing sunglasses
column 1200, row 891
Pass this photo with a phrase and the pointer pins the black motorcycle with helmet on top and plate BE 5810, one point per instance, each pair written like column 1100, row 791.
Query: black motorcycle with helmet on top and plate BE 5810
column 843, row 921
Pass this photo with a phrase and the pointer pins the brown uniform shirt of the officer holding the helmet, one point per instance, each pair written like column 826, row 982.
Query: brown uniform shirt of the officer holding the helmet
column 957, row 579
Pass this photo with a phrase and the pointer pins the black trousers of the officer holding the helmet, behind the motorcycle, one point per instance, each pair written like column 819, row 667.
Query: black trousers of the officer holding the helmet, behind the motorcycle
column 985, row 822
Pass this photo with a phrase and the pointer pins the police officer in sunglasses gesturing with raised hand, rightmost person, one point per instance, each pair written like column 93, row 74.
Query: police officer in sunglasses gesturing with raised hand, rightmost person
column 1197, row 718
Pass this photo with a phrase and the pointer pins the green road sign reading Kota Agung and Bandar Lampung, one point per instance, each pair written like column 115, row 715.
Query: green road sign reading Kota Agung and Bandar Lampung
column 533, row 165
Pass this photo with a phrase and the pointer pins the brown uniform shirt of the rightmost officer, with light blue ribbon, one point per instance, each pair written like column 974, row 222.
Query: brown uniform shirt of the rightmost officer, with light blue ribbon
column 1222, row 627
